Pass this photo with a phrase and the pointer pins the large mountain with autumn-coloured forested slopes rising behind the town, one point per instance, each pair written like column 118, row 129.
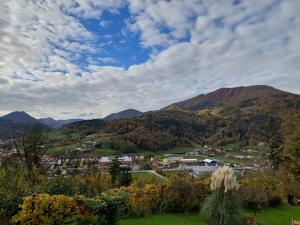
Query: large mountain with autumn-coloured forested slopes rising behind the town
column 225, row 116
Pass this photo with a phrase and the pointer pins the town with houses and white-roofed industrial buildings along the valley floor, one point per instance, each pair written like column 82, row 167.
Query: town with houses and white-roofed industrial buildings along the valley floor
column 194, row 161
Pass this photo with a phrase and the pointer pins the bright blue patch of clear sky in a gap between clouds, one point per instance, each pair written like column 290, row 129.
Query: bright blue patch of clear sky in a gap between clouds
column 117, row 46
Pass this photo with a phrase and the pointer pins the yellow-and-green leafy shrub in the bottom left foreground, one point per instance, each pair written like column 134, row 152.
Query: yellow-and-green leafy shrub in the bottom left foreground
column 60, row 209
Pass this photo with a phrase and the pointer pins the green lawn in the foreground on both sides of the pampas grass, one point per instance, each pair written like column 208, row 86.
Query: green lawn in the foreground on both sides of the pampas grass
column 281, row 216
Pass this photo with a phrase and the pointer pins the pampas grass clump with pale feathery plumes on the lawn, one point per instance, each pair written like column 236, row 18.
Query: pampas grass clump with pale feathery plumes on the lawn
column 222, row 207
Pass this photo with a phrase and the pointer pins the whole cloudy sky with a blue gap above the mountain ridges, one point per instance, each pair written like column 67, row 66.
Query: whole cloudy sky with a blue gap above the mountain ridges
column 88, row 58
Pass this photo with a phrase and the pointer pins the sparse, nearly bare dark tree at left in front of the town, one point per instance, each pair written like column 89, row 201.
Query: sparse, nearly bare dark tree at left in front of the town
column 31, row 146
